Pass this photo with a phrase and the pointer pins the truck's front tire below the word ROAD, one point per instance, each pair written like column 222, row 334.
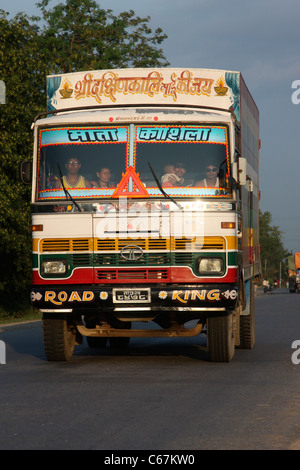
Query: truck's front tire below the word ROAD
column 59, row 339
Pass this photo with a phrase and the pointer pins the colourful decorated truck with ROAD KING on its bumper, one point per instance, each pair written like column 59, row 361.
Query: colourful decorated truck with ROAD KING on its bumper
column 166, row 244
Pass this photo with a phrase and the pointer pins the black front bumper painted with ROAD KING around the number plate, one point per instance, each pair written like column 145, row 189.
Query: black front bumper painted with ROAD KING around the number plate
column 110, row 298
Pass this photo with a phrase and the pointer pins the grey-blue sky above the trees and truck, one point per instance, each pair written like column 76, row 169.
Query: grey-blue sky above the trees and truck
column 260, row 38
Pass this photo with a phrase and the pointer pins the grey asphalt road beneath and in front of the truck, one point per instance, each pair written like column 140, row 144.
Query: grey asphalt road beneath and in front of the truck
column 161, row 394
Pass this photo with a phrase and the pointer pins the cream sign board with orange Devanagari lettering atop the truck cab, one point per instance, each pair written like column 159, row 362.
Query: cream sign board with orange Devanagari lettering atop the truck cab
column 163, row 86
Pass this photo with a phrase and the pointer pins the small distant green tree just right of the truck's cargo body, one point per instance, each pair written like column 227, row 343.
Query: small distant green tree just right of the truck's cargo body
column 272, row 251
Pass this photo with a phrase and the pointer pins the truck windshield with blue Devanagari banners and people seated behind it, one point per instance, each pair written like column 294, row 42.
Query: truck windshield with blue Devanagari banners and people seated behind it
column 109, row 161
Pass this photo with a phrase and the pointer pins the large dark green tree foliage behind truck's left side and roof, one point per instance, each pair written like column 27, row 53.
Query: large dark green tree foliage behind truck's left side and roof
column 77, row 34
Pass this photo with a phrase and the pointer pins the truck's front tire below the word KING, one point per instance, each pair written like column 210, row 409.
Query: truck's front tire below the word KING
column 220, row 338
